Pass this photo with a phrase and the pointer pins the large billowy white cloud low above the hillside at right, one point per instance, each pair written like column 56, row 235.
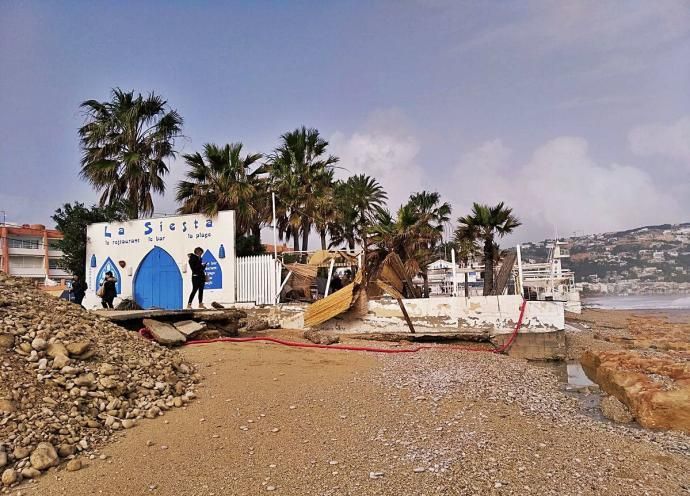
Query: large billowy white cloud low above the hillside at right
column 561, row 188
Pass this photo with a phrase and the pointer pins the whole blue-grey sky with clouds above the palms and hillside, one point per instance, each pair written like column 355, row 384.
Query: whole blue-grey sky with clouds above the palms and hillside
column 576, row 114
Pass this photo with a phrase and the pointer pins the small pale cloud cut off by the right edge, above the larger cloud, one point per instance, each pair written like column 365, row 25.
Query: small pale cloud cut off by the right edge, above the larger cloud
column 662, row 140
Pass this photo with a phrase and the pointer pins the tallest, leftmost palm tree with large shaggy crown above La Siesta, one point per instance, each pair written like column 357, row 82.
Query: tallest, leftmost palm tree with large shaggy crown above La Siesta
column 126, row 142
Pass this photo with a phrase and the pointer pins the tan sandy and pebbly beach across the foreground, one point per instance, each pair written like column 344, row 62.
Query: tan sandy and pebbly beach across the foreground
column 293, row 421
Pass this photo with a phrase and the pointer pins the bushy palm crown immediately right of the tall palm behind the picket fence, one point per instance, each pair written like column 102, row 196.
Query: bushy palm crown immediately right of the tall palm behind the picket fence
column 357, row 202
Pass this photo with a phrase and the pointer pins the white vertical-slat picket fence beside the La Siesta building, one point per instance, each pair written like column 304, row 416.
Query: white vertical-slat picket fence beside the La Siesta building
column 256, row 279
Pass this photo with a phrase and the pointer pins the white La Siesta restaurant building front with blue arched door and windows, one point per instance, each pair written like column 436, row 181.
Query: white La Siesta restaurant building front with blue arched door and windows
column 149, row 258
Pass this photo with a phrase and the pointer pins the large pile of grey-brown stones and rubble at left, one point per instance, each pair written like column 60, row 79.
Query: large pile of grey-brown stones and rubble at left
column 69, row 380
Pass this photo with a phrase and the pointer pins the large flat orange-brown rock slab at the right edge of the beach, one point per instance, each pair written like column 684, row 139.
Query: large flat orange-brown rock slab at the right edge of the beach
column 656, row 389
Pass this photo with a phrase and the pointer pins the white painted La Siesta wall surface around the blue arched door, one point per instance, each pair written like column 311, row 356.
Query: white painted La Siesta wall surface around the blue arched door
column 131, row 241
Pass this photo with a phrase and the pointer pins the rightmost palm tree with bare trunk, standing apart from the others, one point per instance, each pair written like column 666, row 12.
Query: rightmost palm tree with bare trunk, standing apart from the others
column 489, row 223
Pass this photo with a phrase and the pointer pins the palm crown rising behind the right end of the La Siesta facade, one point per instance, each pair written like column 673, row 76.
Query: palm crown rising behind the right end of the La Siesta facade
column 222, row 179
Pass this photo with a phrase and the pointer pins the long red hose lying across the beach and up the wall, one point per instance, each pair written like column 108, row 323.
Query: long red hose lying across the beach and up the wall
column 295, row 344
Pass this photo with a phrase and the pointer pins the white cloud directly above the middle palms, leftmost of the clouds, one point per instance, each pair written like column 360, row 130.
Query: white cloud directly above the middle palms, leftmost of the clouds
column 385, row 150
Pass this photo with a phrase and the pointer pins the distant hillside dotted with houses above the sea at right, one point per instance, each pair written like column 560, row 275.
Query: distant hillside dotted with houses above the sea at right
column 650, row 259
